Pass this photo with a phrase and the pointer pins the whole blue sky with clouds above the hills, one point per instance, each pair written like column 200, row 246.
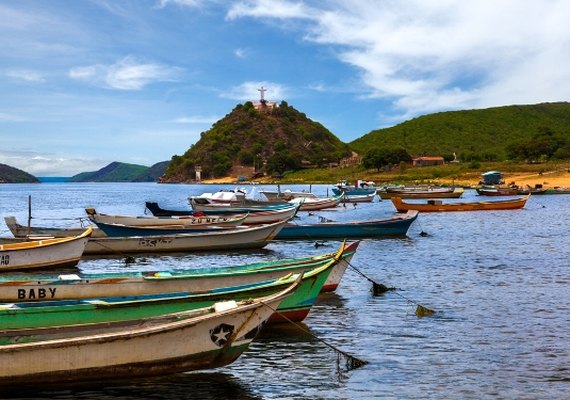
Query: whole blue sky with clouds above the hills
column 84, row 83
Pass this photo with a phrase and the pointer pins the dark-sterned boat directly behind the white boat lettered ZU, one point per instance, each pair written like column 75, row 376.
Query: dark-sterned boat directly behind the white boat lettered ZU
column 254, row 215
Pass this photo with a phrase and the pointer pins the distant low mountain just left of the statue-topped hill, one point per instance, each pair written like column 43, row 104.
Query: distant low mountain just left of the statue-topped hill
column 123, row 172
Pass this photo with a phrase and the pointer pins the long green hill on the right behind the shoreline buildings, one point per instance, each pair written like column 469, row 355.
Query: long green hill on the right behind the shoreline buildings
column 484, row 134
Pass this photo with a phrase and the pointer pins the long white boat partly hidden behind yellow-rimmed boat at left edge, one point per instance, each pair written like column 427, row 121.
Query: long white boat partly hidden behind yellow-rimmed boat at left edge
column 250, row 237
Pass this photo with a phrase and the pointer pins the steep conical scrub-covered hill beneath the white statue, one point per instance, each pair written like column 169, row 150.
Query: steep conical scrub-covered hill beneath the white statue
column 269, row 139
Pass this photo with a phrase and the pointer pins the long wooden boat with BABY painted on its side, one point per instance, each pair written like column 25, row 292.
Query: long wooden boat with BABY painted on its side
column 19, row 287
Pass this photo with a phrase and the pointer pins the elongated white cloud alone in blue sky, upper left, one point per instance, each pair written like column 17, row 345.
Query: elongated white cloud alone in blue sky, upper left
column 126, row 74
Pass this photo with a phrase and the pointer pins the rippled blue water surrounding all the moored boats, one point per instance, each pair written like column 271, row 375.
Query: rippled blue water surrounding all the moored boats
column 498, row 281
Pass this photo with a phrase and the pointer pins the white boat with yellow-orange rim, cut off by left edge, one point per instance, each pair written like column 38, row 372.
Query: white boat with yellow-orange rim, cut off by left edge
column 45, row 253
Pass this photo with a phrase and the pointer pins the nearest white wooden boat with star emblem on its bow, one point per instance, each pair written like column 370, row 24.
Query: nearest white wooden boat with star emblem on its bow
column 199, row 339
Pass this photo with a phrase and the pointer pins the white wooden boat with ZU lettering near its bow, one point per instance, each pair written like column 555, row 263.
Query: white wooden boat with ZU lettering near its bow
column 179, row 221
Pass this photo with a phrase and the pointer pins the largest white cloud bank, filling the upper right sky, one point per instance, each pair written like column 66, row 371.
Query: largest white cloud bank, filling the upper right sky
column 425, row 56
